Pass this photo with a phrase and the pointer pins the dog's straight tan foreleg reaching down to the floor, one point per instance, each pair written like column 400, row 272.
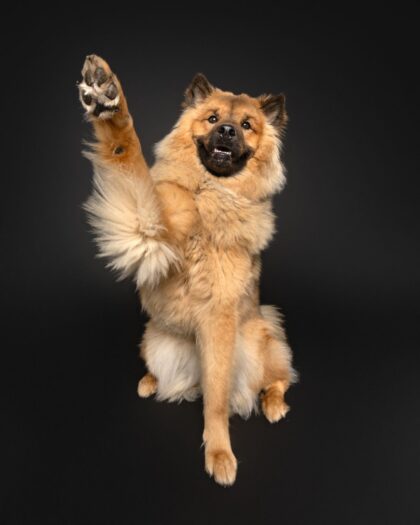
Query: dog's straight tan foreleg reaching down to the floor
column 217, row 343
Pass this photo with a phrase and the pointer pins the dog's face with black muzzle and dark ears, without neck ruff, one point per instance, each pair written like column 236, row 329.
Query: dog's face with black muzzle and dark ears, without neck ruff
column 229, row 130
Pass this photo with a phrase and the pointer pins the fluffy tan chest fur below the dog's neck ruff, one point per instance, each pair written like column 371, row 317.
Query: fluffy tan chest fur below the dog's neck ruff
column 219, row 256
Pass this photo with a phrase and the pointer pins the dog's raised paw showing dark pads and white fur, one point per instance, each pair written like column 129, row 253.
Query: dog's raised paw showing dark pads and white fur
column 99, row 89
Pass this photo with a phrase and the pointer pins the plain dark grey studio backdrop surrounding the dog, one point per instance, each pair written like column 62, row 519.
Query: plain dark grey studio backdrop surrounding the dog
column 79, row 445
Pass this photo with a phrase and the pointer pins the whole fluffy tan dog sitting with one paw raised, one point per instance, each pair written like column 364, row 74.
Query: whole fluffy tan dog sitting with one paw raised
column 190, row 230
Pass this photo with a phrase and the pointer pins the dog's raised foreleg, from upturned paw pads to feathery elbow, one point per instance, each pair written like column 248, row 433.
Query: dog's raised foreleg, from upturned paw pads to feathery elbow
column 124, row 208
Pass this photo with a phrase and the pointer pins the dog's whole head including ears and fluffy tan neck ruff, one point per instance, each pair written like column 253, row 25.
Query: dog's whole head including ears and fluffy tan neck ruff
column 235, row 139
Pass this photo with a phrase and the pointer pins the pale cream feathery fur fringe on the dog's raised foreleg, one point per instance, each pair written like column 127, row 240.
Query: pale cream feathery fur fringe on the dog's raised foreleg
column 125, row 214
